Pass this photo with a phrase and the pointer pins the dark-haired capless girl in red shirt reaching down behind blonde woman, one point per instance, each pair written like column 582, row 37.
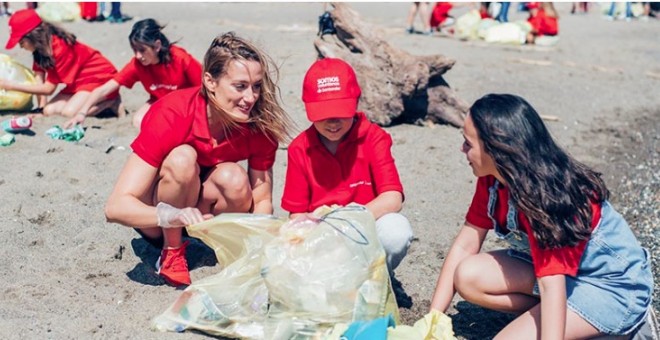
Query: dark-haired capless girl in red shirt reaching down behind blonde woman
column 160, row 66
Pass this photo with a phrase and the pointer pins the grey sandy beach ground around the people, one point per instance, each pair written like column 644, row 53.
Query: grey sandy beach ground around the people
column 67, row 273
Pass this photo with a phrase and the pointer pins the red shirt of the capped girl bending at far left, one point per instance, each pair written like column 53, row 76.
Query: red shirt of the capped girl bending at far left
column 79, row 66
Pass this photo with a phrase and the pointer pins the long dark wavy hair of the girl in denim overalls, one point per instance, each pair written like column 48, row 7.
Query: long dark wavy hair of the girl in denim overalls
column 549, row 186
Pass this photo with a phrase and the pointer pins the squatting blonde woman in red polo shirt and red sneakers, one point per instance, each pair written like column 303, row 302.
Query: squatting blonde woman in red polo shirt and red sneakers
column 184, row 162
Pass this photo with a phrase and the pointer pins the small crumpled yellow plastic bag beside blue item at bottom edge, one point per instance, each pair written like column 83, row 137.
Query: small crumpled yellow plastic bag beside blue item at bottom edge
column 433, row 326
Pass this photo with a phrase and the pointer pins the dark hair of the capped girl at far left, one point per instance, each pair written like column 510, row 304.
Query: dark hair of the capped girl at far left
column 40, row 37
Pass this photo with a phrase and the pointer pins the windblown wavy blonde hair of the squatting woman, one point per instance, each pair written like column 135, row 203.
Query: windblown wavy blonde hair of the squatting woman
column 267, row 115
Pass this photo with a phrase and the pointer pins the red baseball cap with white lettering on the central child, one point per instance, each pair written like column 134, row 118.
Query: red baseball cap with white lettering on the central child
column 330, row 90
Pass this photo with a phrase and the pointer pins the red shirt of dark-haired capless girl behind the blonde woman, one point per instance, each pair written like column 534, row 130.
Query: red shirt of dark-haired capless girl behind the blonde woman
column 181, row 72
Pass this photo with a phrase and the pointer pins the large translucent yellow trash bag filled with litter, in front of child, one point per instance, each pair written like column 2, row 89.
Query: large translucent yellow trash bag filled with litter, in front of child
column 286, row 280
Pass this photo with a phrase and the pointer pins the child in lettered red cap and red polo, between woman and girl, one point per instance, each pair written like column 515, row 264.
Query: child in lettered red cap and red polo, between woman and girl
column 344, row 158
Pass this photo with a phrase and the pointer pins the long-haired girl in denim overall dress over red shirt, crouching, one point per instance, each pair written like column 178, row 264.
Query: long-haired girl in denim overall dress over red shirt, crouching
column 574, row 269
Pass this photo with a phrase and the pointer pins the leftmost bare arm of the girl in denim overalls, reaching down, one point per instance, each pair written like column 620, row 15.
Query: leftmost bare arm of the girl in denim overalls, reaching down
column 468, row 242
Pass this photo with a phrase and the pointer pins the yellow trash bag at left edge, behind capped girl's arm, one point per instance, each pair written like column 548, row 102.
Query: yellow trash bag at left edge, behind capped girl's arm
column 12, row 70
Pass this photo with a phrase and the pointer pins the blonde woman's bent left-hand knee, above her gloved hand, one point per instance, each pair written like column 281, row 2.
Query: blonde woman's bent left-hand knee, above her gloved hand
column 180, row 165
